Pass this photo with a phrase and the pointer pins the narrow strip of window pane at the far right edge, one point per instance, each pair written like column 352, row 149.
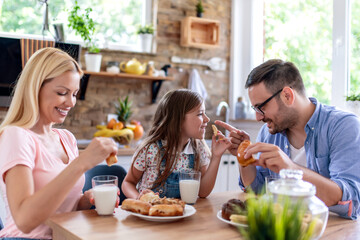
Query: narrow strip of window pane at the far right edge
column 355, row 48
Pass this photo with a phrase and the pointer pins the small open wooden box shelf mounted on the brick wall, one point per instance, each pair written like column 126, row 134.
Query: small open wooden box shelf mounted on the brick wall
column 200, row 32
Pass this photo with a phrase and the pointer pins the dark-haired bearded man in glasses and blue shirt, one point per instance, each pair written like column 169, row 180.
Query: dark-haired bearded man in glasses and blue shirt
column 302, row 134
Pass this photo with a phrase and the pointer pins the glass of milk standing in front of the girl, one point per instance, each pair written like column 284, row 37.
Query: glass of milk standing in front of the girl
column 189, row 186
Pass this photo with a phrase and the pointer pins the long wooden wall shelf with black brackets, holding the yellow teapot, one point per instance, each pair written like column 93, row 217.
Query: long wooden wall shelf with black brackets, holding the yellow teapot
column 155, row 81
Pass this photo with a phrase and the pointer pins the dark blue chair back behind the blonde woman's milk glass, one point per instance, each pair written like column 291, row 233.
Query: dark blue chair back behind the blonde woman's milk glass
column 115, row 170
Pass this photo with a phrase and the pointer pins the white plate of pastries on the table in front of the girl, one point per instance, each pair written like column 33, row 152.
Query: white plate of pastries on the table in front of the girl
column 153, row 208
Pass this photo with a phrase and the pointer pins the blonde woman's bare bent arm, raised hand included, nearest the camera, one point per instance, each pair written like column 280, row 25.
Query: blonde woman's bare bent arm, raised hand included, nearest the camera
column 29, row 209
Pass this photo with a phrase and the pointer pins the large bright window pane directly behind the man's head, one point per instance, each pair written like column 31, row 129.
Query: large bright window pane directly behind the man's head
column 300, row 31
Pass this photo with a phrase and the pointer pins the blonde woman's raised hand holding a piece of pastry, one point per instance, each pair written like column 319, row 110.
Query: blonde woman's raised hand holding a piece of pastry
column 98, row 150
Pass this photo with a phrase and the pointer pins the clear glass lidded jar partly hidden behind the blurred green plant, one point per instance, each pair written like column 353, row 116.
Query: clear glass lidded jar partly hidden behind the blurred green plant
column 291, row 184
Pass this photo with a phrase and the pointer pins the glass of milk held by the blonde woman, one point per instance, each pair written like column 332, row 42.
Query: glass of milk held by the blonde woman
column 105, row 189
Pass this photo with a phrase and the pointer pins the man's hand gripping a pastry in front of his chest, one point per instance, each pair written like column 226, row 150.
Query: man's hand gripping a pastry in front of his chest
column 271, row 157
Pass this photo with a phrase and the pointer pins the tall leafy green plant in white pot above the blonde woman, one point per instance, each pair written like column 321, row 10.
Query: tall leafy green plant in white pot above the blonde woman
column 83, row 25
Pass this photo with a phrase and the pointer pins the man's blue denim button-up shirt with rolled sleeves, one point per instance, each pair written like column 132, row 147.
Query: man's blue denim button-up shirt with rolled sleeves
column 332, row 148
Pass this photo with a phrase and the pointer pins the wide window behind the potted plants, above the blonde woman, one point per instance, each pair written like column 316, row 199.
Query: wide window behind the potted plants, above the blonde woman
column 117, row 19
